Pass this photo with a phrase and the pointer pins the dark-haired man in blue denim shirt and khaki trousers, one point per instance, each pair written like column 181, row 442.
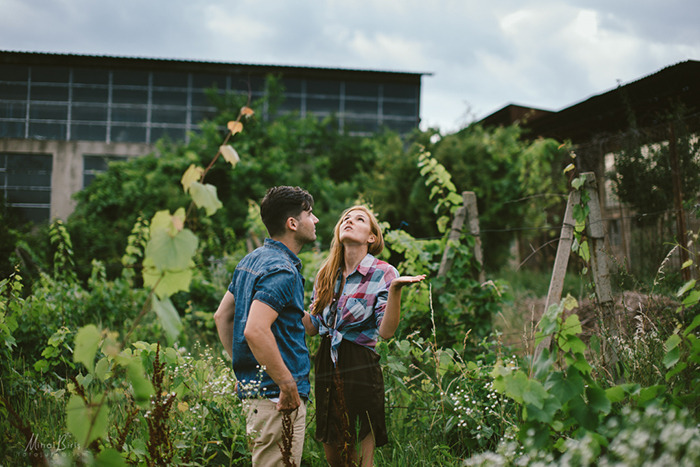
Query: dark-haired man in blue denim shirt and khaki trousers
column 259, row 322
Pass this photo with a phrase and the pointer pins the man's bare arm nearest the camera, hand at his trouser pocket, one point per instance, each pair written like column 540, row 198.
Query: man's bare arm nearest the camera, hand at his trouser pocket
column 262, row 343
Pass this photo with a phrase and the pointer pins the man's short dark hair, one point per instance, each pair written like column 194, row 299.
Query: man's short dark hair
column 282, row 202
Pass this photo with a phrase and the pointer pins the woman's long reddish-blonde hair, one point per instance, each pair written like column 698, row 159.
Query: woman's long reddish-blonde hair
column 328, row 274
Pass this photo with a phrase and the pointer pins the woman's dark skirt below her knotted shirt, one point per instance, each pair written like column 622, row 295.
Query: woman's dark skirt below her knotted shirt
column 349, row 401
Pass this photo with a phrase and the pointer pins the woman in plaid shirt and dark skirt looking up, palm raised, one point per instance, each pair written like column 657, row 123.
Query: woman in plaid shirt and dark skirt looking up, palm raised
column 357, row 299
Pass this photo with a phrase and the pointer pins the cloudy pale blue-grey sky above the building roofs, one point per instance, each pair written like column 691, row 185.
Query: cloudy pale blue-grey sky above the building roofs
column 481, row 55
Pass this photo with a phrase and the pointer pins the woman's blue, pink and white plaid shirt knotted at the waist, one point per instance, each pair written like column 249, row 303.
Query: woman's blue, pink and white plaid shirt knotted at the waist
column 360, row 306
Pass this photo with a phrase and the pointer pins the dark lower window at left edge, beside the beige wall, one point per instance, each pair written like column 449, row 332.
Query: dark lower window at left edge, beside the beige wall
column 26, row 184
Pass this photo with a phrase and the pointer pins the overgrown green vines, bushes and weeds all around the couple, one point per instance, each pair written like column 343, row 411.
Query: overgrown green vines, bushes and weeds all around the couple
column 109, row 353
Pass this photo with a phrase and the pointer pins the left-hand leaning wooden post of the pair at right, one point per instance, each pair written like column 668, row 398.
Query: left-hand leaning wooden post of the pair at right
column 561, row 262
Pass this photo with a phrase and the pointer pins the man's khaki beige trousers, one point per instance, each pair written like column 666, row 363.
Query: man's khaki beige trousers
column 264, row 429
